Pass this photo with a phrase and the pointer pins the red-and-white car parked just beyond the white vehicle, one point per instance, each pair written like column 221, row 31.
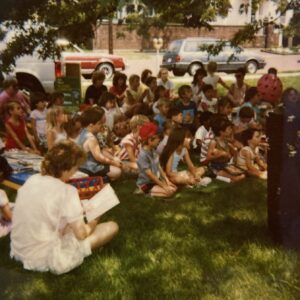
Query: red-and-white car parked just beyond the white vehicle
column 90, row 61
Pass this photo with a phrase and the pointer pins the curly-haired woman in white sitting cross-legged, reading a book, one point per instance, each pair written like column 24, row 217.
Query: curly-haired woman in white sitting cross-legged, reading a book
column 48, row 231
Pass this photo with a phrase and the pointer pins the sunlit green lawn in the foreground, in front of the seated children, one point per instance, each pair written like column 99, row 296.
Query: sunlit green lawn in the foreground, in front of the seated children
column 209, row 243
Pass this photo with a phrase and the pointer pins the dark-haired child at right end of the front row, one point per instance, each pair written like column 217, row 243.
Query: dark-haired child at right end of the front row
column 248, row 158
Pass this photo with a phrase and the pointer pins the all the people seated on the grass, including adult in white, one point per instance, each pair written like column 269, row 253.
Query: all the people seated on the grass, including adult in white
column 144, row 129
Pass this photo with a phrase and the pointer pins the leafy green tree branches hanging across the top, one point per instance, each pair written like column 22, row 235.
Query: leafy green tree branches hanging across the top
column 37, row 23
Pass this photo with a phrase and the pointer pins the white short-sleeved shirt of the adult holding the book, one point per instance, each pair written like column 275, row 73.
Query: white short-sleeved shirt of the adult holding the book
column 44, row 204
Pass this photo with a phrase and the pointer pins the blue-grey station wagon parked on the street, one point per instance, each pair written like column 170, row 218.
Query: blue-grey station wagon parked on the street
column 185, row 55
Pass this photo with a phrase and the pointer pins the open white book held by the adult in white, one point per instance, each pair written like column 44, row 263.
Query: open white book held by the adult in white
column 100, row 203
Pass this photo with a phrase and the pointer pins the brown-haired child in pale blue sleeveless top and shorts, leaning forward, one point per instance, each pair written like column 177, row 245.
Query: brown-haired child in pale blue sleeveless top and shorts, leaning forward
column 97, row 163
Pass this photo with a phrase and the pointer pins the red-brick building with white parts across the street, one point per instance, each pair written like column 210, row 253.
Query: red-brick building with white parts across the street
column 239, row 14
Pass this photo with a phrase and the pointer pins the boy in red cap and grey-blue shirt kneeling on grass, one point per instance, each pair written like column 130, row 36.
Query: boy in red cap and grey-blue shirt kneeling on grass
column 152, row 179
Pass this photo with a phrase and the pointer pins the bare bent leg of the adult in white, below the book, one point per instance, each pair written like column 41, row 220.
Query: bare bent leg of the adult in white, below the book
column 103, row 233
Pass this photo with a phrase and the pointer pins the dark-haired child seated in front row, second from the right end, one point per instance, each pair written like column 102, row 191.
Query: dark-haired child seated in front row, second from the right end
column 221, row 152
